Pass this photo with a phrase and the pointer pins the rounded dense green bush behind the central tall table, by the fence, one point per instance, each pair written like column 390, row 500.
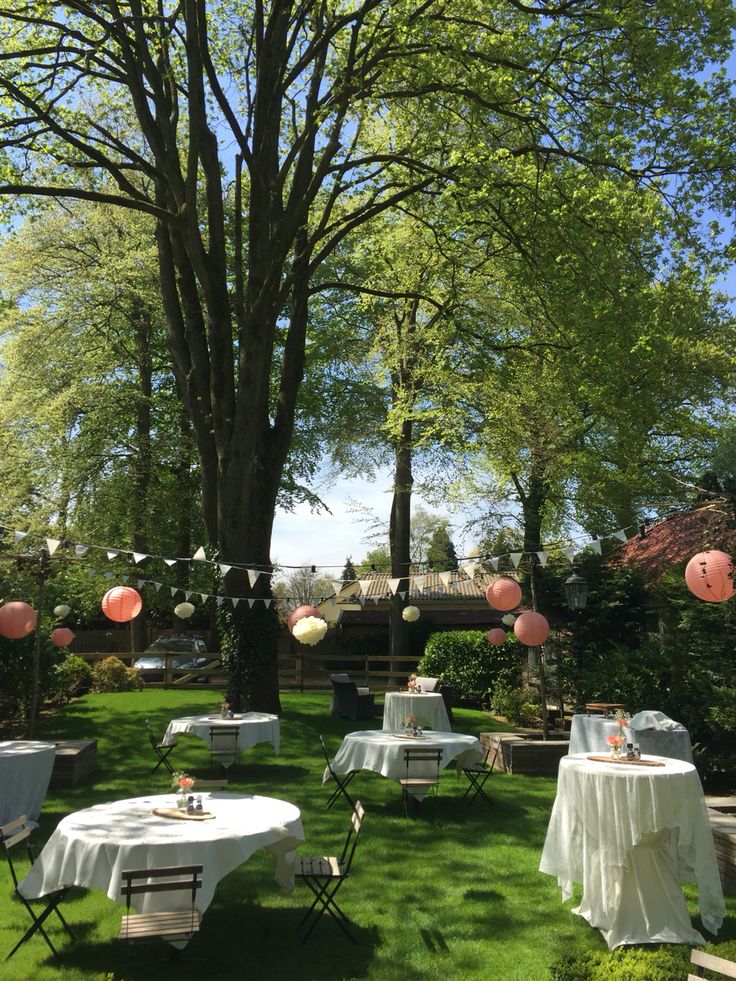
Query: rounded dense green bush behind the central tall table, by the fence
column 465, row 659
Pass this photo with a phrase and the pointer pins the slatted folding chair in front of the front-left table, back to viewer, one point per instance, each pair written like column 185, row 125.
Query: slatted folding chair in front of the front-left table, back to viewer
column 178, row 925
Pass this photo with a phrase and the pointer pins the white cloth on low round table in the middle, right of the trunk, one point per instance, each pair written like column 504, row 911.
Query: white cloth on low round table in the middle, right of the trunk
column 383, row 752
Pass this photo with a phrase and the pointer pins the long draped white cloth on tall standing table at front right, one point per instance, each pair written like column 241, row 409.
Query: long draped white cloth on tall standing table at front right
column 630, row 835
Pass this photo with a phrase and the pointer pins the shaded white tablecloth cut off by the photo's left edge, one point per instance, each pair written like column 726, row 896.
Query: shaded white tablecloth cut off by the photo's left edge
column 25, row 771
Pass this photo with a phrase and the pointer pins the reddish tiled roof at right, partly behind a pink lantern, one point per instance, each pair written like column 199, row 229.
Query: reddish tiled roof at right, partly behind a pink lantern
column 676, row 538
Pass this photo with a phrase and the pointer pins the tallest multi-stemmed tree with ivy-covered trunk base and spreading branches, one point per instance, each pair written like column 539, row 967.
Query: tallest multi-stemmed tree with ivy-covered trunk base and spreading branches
column 260, row 144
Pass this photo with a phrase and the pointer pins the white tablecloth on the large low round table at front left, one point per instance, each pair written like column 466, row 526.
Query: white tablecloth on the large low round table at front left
column 92, row 847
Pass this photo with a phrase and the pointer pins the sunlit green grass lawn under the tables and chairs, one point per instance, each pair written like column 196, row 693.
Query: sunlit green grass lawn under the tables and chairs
column 461, row 899
